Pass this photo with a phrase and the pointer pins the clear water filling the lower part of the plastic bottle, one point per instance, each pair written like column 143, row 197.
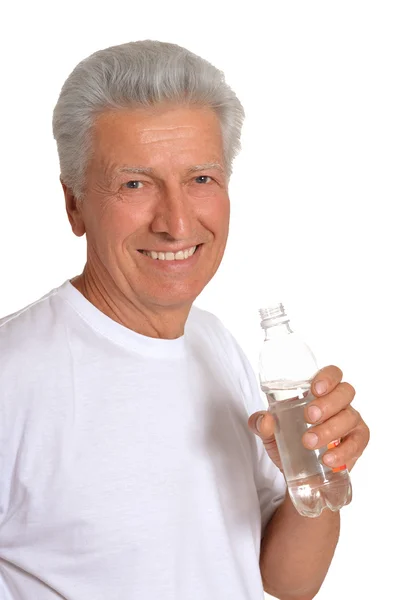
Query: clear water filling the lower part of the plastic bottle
column 312, row 485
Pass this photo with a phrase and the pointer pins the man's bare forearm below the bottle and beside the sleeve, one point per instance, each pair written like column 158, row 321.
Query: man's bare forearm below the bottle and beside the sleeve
column 296, row 552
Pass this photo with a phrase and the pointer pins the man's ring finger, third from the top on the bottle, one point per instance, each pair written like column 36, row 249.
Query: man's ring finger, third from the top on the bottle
column 336, row 427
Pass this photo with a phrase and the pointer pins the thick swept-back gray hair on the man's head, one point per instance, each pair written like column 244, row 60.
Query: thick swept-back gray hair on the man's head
column 140, row 73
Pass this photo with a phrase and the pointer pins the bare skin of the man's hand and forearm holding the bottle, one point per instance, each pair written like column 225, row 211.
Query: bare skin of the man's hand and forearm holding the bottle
column 296, row 552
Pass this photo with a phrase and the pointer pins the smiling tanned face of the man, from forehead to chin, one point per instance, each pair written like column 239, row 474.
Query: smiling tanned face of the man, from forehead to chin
column 156, row 183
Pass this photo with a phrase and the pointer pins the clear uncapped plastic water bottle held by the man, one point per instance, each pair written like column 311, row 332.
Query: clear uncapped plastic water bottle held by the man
column 286, row 368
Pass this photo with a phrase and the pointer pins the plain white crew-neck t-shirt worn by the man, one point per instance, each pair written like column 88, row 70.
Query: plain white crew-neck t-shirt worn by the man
column 128, row 470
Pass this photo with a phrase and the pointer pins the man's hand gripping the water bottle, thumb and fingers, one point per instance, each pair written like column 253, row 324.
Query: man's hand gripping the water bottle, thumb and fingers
column 332, row 418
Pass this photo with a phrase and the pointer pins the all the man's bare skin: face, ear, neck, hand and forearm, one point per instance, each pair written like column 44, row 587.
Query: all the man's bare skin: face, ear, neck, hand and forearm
column 170, row 208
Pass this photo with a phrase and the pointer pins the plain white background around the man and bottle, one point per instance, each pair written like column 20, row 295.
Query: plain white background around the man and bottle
column 314, row 197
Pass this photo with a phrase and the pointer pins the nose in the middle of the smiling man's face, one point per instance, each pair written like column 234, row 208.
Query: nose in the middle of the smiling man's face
column 174, row 214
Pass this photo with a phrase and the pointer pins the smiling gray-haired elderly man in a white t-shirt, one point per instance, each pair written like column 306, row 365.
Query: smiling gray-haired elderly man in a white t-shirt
column 130, row 468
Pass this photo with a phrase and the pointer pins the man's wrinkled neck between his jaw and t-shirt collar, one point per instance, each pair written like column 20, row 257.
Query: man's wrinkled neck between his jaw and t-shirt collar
column 157, row 322
